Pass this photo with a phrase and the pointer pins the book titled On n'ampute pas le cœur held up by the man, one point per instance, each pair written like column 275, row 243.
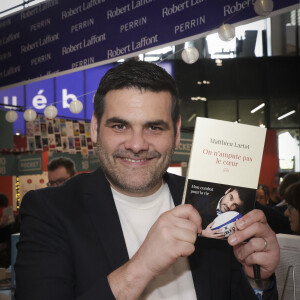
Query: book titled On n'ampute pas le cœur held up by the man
column 223, row 173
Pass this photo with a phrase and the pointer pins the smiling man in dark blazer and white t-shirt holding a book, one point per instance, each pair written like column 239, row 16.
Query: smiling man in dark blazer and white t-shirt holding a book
column 115, row 233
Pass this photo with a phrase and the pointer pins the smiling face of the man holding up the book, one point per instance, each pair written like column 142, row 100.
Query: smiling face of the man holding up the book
column 136, row 139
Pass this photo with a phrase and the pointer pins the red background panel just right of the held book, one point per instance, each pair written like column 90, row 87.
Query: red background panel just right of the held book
column 269, row 164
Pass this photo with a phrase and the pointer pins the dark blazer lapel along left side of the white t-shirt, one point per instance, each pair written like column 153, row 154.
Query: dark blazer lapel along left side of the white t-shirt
column 99, row 203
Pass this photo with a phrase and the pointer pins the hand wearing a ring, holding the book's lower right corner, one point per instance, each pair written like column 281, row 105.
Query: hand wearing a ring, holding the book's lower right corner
column 262, row 248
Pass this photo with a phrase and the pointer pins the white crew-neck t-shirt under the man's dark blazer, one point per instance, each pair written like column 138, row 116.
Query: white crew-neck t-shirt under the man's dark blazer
column 137, row 215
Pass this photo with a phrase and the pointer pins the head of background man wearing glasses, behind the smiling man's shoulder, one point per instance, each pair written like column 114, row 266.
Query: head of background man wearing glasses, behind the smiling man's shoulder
column 59, row 170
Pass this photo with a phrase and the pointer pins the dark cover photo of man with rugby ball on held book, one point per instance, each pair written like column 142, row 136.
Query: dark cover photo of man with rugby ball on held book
column 219, row 206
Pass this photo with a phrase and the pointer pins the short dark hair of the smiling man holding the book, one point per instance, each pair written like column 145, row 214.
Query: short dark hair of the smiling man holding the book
column 140, row 75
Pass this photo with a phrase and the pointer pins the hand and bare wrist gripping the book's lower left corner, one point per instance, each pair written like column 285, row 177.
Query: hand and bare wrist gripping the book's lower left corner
column 172, row 236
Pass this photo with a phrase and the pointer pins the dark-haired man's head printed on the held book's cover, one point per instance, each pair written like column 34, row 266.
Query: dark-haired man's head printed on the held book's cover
column 233, row 199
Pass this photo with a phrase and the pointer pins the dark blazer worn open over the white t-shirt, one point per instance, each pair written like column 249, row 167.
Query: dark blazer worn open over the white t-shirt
column 71, row 239
